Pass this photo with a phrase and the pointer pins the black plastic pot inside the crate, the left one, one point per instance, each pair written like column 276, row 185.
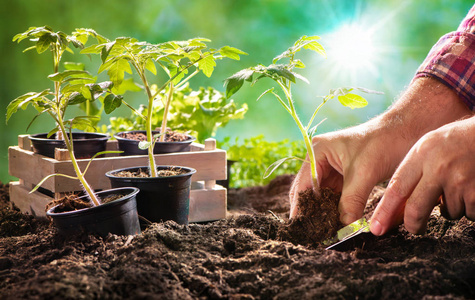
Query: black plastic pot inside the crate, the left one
column 85, row 144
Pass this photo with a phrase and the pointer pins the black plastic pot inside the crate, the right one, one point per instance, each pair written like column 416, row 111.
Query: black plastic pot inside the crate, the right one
column 131, row 147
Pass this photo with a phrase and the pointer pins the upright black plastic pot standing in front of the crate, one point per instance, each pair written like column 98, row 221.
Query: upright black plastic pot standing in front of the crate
column 160, row 198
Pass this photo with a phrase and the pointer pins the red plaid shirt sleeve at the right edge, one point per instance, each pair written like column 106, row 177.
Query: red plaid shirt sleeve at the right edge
column 452, row 60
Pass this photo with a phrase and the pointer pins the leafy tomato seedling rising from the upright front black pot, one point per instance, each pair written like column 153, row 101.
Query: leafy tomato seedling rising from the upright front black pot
column 179, row 60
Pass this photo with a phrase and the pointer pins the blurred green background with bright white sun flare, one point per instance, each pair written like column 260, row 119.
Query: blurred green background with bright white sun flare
column 374, row 44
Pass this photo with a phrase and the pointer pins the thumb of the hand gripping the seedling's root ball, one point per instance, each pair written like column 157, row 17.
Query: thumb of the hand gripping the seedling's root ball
column 355, row 193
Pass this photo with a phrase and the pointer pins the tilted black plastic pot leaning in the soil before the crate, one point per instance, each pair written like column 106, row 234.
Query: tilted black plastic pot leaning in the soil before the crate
column 117, row 217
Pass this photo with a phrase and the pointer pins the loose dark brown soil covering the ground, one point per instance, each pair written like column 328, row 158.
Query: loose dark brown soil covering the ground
column 241, row 257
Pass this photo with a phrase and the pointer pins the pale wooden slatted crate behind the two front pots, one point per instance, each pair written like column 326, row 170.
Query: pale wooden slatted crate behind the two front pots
column 207, row 200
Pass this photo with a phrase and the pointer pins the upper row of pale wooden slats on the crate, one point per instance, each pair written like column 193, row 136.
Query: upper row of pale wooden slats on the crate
column 210, row 165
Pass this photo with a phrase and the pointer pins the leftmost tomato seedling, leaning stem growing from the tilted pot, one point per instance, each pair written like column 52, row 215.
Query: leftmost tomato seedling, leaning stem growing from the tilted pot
column 72, row 86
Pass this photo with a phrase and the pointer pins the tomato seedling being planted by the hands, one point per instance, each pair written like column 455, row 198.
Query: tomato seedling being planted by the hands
column 284, row 75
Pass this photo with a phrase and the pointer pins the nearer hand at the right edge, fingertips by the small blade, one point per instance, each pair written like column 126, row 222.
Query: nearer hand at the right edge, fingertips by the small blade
column 440, row 167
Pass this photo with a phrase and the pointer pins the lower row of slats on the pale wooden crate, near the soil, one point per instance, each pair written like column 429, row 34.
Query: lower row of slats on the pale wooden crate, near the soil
column 205, row 205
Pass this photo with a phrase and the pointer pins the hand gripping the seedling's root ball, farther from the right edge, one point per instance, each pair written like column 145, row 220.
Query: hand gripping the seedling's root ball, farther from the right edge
column 351, row 162
